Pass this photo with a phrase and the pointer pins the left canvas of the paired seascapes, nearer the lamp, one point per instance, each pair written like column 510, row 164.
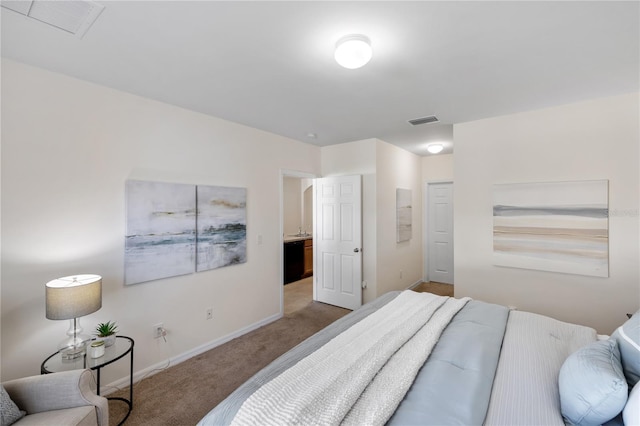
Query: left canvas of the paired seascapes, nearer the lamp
column 160, row 238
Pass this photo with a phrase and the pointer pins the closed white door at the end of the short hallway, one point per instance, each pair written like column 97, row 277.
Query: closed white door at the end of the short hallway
column 439, row 220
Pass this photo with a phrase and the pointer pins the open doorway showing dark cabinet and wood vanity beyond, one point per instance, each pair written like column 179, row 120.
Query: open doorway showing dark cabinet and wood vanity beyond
column 296, row 224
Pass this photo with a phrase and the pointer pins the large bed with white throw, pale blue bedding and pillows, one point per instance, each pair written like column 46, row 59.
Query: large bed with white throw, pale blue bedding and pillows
column 412, row 358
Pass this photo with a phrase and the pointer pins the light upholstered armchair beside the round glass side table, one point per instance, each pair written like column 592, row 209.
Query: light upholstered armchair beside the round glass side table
column 64, row 398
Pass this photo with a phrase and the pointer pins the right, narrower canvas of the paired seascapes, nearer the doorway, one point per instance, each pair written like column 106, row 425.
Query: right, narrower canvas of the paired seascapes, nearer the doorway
column 222, row 227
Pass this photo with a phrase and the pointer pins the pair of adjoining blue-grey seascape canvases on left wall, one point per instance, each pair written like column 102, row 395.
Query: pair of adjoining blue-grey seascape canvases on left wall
column 176, row 229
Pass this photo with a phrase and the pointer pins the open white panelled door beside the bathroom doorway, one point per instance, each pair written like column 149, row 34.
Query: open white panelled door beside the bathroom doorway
column 337, row 241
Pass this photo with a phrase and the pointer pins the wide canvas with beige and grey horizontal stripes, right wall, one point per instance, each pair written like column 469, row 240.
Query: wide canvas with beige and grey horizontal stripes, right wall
column 552, row 226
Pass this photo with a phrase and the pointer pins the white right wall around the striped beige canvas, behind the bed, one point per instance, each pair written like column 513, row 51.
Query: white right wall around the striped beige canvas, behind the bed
column 597, row 139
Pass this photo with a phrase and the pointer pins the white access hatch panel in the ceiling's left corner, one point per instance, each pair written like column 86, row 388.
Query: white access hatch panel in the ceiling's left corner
column 74, row 17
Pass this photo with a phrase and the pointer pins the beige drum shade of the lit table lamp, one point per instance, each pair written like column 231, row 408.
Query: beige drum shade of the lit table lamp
column 73, row 296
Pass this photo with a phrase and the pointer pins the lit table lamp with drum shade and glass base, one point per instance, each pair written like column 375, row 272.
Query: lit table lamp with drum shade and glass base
column 71, row 298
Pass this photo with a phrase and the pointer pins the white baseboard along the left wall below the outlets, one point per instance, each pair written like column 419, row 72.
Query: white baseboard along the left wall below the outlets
column 153, row 369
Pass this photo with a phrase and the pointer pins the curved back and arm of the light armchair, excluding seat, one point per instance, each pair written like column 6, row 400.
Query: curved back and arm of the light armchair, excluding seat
column 56, row 391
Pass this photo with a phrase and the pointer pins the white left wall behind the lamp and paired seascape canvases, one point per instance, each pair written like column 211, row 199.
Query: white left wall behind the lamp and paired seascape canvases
column 67, row 149
